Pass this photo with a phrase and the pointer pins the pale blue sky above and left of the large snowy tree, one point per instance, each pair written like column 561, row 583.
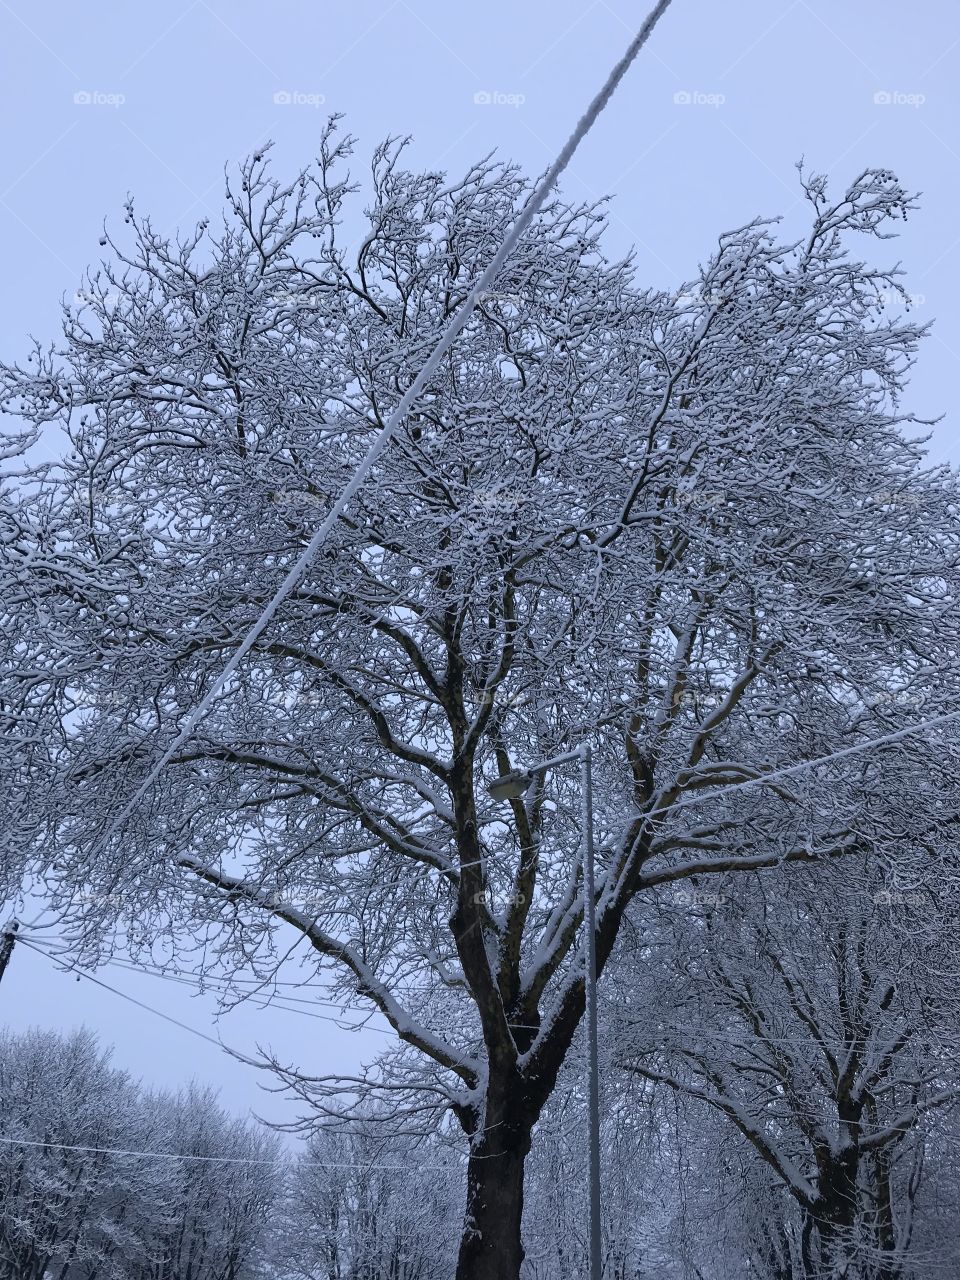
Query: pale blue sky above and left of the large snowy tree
column 175, row 92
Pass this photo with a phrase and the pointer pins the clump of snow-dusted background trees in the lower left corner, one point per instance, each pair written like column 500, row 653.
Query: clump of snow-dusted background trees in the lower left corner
column 88, row 1190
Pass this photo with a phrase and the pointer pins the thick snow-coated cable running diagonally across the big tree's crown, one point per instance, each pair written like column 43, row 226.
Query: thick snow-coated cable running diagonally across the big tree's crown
column 419, row 385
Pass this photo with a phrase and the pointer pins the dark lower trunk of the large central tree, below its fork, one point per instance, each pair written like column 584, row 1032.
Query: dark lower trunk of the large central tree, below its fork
column 491, row 1247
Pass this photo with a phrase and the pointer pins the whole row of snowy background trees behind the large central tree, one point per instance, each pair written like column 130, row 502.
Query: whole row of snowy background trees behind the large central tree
column 788, row 1116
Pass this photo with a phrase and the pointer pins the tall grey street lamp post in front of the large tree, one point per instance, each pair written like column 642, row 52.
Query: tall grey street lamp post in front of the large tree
column 511, row 787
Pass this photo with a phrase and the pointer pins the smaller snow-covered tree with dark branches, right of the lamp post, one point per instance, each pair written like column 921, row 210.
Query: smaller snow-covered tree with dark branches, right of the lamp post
column 804, row 1012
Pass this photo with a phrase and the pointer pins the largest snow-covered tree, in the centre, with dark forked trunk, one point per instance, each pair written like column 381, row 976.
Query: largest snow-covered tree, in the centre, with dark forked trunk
column 679, row 528
